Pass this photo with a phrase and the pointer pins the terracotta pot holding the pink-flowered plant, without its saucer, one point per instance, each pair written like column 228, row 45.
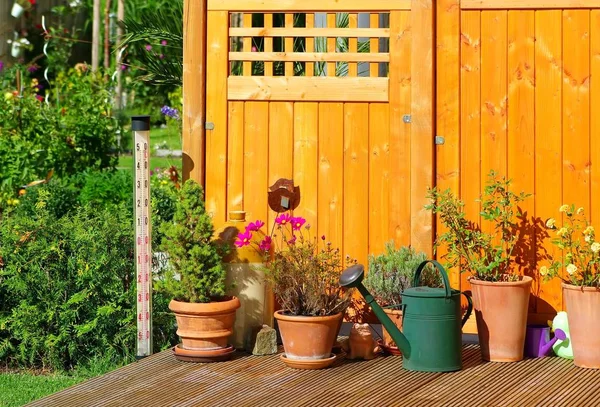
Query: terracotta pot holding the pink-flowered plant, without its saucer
column 308, row 337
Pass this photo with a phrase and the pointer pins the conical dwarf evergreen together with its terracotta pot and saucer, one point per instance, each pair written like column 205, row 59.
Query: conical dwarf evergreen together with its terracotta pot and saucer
column 205, row 315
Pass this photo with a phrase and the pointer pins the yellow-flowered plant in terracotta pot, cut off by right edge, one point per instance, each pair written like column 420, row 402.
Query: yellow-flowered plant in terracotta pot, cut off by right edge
column 579, row 270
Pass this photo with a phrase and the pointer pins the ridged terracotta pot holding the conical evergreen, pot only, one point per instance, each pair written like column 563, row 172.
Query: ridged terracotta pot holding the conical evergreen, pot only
column 203, row 326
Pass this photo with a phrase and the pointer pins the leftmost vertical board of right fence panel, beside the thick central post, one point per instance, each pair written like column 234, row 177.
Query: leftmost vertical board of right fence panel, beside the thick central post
column 447, row 107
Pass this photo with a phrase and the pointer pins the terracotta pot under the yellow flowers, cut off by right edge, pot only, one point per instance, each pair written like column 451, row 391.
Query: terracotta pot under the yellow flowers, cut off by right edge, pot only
column 583, row 313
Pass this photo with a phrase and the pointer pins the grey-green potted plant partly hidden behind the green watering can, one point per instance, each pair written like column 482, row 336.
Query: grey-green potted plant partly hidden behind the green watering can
column 389, row 274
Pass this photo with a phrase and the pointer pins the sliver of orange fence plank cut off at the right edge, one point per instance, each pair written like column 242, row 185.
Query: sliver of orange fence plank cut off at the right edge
column 595, row 118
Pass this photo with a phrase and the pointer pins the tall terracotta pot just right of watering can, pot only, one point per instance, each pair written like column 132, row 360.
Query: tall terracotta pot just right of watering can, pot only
column 501, row 315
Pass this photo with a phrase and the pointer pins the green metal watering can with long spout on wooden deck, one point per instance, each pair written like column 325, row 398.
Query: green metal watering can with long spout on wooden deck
column 431, row 321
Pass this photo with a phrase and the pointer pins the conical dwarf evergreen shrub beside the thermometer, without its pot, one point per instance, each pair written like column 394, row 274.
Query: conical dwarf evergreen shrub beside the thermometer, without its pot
column 192, row 252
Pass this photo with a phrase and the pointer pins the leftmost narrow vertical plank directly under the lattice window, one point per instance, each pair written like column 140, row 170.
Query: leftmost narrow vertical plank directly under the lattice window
column 235, row 157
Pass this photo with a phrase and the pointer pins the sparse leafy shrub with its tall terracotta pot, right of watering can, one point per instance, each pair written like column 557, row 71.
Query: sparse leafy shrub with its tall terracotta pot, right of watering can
column 500, row 294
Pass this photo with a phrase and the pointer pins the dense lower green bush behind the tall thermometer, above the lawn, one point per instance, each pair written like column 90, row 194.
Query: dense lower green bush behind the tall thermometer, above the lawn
column 67, row 288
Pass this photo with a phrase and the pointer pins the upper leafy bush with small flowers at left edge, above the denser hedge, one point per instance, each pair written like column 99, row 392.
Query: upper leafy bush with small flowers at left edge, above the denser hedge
column 73, row 133
